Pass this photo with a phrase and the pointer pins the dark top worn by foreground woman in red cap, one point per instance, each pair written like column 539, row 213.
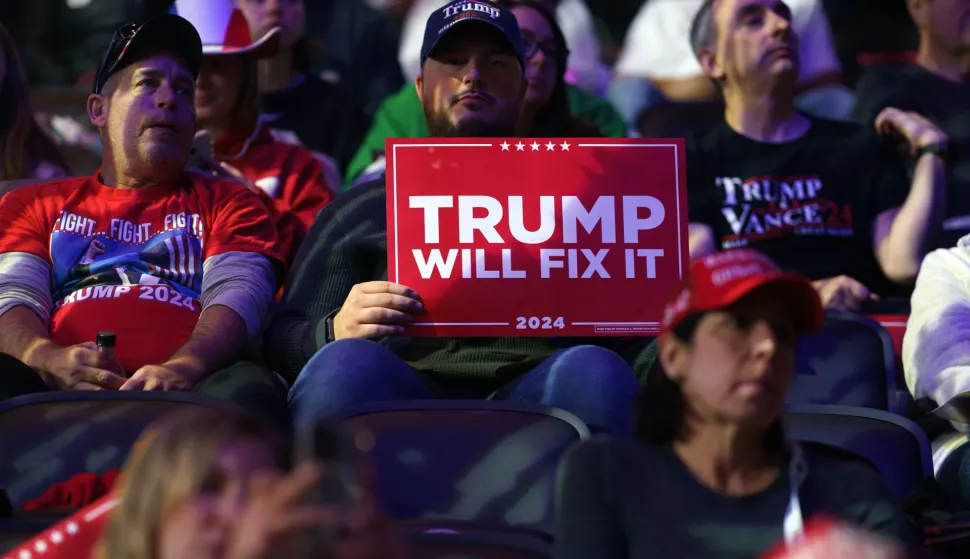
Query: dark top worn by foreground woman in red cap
column 619, row 499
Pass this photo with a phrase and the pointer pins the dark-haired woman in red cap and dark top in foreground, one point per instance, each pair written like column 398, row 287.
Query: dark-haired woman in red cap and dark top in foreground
column 712, row 474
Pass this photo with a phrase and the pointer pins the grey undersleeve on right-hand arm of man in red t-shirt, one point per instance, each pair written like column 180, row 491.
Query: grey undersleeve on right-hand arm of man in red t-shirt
column 243, row 281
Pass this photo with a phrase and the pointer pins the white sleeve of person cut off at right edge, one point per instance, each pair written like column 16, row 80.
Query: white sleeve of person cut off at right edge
column 936, row 346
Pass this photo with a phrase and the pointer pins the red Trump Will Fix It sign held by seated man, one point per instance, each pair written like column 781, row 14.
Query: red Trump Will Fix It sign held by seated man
column 572, row 237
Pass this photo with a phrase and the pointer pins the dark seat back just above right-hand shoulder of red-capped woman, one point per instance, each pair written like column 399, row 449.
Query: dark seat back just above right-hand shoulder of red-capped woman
column 893, row 444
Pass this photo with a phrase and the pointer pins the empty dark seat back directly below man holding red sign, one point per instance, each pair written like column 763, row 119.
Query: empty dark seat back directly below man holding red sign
column 474, row 461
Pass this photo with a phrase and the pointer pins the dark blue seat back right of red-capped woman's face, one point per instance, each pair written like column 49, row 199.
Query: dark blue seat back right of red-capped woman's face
column 849, row 362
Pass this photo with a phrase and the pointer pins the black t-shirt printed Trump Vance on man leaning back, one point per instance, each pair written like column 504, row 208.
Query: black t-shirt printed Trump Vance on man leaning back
column 809, row 204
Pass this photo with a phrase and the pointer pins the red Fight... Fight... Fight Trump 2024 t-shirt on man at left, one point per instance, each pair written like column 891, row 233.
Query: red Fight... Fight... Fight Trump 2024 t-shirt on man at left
column 131, row 261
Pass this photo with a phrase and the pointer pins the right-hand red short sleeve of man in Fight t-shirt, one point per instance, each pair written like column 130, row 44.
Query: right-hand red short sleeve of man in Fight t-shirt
column 241, row 223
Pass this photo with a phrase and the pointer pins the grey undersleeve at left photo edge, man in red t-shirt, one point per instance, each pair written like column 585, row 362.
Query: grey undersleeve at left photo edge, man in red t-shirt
column 25, row 281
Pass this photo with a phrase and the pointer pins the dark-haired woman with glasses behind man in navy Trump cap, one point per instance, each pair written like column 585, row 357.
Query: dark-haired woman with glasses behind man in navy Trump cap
column 545, row 110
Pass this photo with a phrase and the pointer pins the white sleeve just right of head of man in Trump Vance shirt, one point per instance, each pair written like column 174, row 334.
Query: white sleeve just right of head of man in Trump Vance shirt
column 815, row 47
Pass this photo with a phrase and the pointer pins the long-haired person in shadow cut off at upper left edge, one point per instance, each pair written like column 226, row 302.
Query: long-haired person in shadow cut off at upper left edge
column 26, row 150
